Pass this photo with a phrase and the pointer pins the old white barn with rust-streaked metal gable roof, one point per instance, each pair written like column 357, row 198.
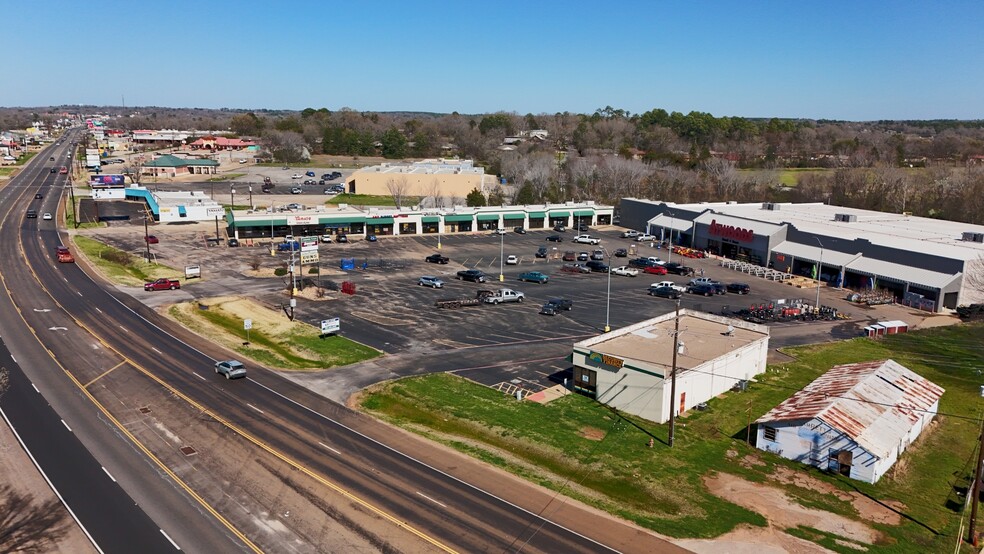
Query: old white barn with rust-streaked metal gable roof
column 855, row 419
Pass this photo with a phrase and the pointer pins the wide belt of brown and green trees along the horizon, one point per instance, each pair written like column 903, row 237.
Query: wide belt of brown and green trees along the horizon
column 929, row 168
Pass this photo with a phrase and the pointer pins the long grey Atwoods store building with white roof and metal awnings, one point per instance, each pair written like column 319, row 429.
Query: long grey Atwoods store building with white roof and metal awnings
column 922, row 261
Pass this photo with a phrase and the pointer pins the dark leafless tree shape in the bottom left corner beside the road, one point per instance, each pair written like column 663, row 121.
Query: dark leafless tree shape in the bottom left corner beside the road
column 26, row 526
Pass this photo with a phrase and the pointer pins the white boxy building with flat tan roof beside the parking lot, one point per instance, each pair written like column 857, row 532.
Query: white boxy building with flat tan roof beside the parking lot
column 630, row 368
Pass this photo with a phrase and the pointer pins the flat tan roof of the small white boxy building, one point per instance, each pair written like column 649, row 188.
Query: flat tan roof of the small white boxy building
column 704, row 336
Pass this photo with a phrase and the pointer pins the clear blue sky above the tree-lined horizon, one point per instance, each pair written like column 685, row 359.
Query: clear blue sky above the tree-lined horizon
column 847, row 60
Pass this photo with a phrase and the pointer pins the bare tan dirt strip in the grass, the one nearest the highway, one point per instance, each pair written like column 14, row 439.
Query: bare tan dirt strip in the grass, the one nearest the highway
column 784, row 512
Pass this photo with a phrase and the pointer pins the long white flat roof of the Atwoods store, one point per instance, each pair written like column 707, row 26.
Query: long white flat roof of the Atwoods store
column 900, row 231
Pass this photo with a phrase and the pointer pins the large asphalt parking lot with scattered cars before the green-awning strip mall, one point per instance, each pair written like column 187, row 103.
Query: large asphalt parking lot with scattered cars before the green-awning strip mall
column 498, row 345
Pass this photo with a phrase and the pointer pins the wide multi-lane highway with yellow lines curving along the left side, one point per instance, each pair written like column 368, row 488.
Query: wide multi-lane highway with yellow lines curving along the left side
column 100, row 335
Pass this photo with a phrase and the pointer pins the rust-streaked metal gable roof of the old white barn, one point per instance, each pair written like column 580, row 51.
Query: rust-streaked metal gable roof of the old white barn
column 873, row 403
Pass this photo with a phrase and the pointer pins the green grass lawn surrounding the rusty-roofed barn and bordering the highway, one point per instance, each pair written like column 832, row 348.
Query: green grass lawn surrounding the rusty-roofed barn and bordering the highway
column 586, row 451
